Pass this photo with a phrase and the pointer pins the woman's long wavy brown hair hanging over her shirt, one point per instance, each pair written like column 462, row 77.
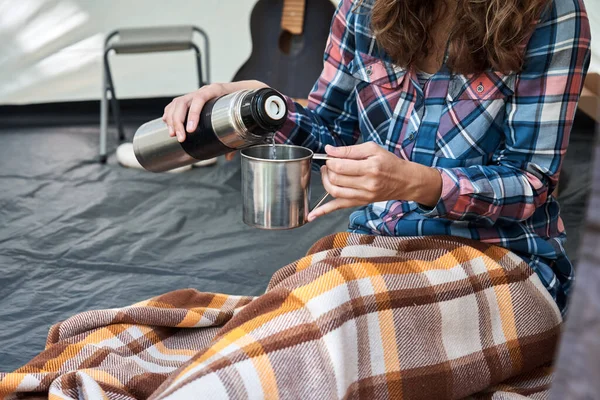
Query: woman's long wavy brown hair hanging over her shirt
column 486, row 34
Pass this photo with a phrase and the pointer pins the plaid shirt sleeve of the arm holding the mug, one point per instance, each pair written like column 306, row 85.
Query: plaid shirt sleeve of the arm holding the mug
column 539, row 118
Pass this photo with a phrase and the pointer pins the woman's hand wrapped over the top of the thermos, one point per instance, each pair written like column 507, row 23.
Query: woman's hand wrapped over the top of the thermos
column 191, row 104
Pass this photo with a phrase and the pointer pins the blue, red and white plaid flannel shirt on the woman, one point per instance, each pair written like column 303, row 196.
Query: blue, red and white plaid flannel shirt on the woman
column 497, row 139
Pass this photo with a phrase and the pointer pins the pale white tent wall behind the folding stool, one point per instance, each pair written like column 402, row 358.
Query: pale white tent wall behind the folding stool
column 50, row 50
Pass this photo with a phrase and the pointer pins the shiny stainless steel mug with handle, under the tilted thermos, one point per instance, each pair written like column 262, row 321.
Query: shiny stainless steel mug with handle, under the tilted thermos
column 276, row 192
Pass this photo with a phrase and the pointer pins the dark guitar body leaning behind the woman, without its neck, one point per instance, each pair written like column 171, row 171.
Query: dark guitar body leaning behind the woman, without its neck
column 288, row 63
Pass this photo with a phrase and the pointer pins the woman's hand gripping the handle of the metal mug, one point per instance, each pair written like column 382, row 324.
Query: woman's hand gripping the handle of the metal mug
column 367, row 173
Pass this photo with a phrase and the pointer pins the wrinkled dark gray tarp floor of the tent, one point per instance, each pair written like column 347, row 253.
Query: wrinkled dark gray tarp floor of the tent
column 76, row 235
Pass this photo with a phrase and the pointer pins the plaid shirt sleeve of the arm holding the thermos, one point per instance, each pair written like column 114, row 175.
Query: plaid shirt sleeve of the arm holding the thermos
column 331, row 116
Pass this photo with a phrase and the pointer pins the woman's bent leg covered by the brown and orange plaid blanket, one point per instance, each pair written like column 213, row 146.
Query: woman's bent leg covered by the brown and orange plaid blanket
column 419, row 318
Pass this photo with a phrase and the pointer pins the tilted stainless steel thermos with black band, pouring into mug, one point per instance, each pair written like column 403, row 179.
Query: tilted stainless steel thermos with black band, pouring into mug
column 234, row 121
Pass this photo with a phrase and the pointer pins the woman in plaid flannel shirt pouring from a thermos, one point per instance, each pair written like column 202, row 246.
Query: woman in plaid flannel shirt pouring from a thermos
column 465, row 109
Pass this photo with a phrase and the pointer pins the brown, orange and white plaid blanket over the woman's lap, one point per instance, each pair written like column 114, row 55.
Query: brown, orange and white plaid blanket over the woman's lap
column 358, row 317
